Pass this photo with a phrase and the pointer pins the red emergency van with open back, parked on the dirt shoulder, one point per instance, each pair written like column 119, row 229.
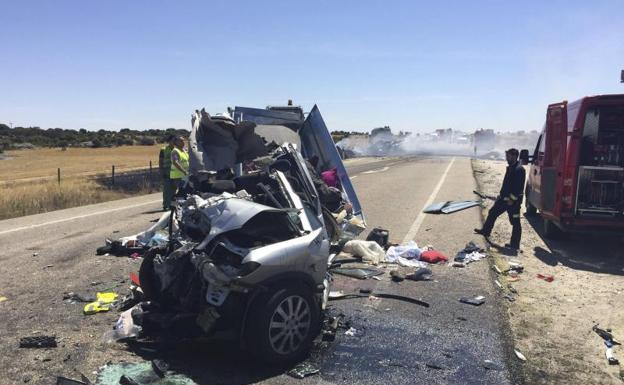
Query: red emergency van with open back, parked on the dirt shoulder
column 576, row 175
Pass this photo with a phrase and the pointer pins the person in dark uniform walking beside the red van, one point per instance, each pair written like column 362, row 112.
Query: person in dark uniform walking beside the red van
column 510, row 200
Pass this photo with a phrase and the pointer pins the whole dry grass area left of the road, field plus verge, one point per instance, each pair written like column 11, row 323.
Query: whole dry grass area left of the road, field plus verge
column 28, row 178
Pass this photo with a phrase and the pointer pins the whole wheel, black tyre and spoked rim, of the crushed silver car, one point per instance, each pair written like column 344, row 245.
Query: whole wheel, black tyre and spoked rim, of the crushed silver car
column 282, row 324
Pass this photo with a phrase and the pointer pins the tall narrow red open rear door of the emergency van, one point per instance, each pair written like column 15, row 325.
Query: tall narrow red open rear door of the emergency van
column 554, row 159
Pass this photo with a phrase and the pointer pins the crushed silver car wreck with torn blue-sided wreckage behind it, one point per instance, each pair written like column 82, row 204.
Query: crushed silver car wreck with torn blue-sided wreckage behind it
column 251, row 235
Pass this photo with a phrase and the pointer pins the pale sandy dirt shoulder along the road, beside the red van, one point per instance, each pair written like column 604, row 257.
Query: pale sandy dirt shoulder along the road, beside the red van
column 552, row 321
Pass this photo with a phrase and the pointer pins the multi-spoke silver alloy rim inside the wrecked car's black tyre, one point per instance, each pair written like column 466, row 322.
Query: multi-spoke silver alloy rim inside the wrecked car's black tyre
column 290, row 325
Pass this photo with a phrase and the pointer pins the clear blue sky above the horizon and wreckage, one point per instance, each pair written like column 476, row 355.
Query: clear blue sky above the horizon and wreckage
column 413, row 65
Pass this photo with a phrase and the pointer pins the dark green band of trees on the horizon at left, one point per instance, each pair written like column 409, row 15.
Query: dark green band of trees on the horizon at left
column 25, row 137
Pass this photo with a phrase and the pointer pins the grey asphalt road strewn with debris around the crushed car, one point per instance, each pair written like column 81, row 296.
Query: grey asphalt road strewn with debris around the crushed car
column 45, row 255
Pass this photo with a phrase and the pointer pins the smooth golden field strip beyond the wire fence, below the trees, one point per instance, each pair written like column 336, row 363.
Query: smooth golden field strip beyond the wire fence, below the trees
column 44, row 162
